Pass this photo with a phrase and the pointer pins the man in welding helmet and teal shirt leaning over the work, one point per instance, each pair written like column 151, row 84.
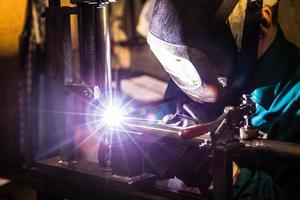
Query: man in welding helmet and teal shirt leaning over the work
column 215, row 51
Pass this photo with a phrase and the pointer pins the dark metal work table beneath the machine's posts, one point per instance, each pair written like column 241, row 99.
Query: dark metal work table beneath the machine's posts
column 86, row 180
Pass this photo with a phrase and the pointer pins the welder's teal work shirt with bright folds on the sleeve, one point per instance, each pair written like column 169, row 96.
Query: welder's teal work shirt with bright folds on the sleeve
column 277, row 83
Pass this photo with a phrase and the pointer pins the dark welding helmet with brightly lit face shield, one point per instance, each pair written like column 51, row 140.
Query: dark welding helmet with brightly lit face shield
column 209, row 48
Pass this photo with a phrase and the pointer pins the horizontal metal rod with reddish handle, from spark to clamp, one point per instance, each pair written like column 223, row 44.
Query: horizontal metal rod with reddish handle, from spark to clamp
column 221, row 130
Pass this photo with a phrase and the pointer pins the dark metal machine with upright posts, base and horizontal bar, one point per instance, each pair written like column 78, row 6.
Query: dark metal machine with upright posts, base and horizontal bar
column 68, row 177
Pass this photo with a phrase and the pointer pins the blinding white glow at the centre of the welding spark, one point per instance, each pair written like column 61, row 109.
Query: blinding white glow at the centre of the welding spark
column 113, row 116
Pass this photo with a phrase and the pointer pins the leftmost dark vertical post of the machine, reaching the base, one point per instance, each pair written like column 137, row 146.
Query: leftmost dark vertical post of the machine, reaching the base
column 59, row 56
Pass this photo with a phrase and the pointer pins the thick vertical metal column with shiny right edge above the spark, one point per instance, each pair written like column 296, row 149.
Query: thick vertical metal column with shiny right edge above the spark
column 94, row 40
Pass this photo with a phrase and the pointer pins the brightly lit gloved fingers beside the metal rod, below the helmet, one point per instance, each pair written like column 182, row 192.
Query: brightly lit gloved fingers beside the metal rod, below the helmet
column 179, row 120
